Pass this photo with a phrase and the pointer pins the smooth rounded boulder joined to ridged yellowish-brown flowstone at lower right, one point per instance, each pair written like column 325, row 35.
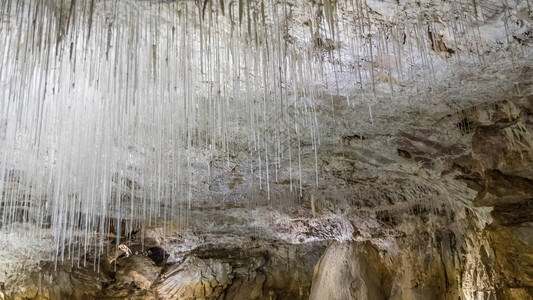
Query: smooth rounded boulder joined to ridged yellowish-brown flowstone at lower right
column 435, row 259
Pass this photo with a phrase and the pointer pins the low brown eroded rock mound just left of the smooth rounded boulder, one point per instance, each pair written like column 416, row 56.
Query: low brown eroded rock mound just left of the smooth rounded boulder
column 261, row 272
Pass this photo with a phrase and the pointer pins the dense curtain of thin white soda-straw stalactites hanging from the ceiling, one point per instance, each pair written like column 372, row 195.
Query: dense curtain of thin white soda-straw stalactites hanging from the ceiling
column 110, row 111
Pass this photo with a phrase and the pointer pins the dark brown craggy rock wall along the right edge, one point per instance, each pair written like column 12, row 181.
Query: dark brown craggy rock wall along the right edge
column 503, row 155
